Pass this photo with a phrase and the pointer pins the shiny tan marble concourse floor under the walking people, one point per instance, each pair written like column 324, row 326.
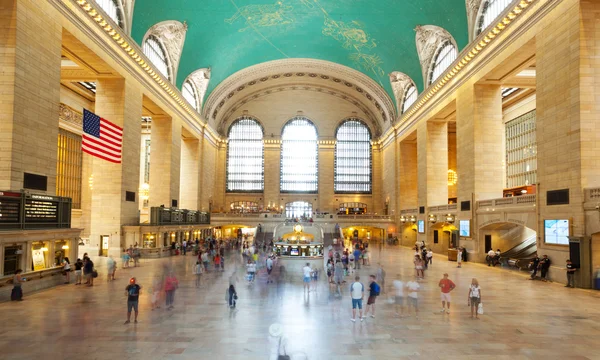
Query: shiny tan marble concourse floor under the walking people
column 523, row 319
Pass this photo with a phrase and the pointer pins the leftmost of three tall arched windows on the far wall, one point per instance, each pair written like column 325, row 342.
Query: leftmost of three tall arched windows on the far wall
column 245, row 160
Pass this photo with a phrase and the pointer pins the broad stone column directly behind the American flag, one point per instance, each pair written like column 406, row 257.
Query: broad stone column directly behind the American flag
column 120, row 102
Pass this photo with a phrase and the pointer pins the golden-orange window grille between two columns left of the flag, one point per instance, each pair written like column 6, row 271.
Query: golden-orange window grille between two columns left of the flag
column 68, row 167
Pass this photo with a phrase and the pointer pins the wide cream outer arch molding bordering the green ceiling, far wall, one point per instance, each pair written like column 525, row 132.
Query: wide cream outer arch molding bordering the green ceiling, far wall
column 321, row 73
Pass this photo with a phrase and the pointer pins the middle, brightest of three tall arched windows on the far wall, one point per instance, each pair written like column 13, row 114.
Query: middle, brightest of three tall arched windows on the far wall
column 299, row 161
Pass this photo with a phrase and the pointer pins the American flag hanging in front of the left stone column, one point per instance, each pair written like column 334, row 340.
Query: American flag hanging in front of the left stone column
column 101, row 138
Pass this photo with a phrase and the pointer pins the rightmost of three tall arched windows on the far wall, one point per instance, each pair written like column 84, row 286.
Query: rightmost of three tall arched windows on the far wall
column 352, row 169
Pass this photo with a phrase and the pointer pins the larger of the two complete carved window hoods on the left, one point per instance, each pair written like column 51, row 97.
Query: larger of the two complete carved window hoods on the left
column 172, row 35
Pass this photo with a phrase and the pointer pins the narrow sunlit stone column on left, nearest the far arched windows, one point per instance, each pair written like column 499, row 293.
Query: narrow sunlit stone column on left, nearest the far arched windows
column 190, row 172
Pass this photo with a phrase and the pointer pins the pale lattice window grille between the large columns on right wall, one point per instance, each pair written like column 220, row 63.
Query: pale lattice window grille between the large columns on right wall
column 521, row 151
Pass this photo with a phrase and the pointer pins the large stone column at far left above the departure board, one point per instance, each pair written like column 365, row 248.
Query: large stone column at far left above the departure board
column 30, row 55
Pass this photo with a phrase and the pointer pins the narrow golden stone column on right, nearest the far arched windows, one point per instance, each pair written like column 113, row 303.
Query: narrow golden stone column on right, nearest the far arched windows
column 407, row 175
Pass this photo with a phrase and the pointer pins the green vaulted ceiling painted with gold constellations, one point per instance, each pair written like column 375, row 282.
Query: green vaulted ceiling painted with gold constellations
column 375, row 37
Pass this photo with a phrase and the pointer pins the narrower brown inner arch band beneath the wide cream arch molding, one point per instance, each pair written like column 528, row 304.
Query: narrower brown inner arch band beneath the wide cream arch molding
column 373, row 119
